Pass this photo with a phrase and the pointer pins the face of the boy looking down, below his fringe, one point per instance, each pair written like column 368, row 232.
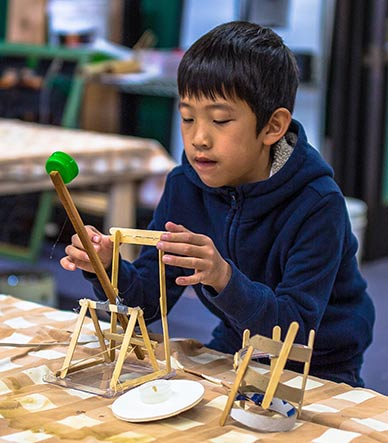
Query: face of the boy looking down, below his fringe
column 220, row 141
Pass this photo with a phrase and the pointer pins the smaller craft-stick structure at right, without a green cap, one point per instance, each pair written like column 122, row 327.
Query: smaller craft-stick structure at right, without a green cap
column 269, row 384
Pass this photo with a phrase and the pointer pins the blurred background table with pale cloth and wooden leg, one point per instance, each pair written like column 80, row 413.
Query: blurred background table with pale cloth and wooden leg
column 115, row 160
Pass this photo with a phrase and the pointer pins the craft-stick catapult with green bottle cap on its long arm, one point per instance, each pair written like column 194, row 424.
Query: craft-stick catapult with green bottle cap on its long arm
column 62, row 169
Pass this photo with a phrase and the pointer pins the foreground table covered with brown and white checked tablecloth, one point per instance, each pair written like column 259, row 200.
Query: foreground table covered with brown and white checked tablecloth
column 34, row 411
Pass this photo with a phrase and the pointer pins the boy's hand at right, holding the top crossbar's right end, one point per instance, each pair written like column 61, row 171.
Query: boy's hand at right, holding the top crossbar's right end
column 186, row 249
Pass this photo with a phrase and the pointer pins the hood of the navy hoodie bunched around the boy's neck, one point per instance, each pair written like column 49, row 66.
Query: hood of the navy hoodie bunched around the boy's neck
column 304, row 166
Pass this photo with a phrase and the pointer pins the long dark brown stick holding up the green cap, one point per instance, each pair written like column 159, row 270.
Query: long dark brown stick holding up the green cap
column 80, row 229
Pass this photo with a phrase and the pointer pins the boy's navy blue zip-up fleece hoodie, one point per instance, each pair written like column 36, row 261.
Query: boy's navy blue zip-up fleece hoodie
column 288, row 240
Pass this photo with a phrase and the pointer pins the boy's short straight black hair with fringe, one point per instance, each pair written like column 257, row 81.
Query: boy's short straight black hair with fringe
column 241, row 60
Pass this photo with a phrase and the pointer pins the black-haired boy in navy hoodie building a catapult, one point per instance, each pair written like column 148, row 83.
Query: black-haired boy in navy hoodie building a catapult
column 254, row 220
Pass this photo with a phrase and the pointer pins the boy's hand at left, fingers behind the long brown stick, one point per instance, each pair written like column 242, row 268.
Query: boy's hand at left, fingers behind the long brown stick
column 77, row 257
